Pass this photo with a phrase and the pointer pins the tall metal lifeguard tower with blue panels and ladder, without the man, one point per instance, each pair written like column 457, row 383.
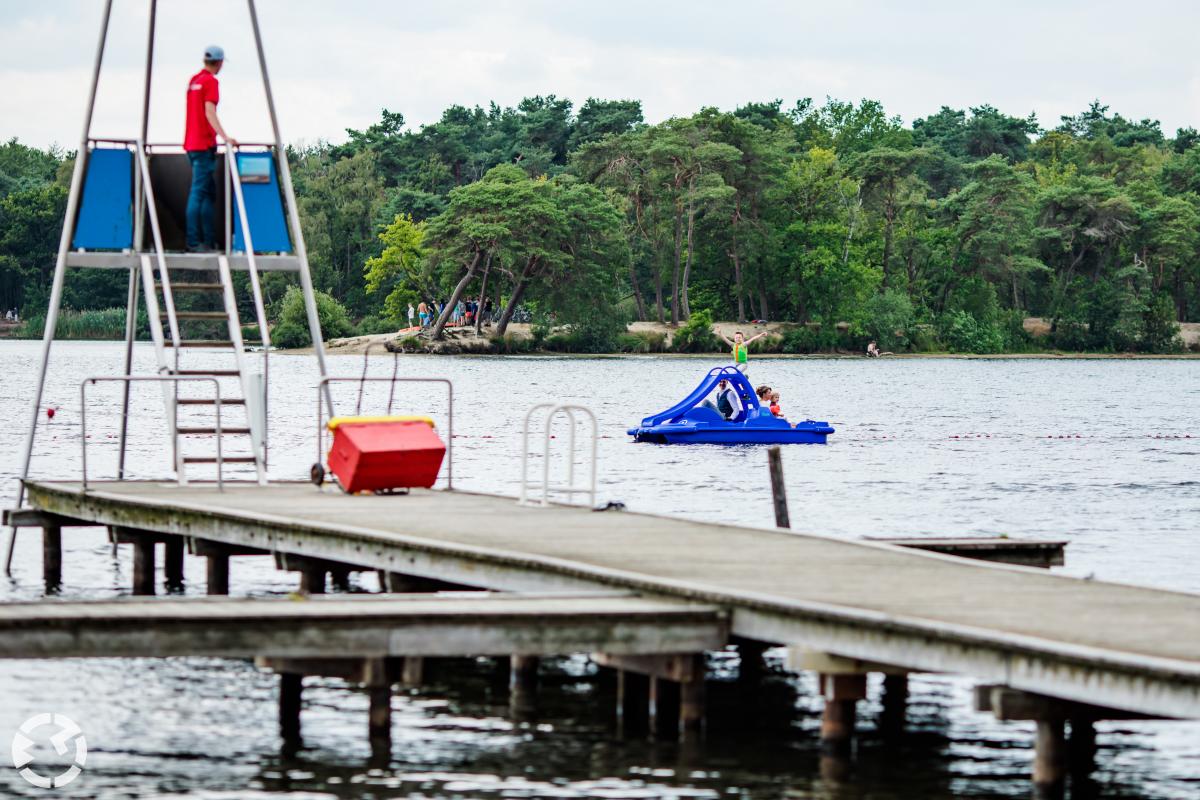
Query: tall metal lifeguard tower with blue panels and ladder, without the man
column 127, row 212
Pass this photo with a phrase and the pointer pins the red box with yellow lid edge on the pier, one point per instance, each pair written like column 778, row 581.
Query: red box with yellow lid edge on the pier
column 370, row 455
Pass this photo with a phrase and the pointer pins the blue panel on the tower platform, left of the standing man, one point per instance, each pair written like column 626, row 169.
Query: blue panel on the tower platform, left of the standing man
column 106, row 212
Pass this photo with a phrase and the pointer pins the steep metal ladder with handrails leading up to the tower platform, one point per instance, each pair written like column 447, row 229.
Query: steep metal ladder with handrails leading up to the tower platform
column 172, row 348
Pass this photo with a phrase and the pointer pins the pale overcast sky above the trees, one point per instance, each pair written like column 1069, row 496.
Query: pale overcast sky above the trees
column 337, row 64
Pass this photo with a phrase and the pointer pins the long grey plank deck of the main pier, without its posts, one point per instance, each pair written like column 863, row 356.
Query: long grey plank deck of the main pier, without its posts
column 1123, row 647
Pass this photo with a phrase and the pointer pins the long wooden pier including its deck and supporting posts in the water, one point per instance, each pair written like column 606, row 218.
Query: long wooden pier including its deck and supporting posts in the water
column 1072, row 651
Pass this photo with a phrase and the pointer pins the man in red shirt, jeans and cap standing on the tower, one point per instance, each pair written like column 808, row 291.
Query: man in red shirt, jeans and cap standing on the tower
column 201, row 143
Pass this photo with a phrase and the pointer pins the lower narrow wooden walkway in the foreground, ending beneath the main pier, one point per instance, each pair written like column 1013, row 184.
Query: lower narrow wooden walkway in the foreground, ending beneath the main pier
column 467, row 624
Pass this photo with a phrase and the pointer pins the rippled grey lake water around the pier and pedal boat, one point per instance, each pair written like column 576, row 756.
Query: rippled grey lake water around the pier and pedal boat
column 1105, row 454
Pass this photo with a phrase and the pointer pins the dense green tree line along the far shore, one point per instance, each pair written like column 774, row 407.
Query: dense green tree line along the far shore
column 945, row 233
